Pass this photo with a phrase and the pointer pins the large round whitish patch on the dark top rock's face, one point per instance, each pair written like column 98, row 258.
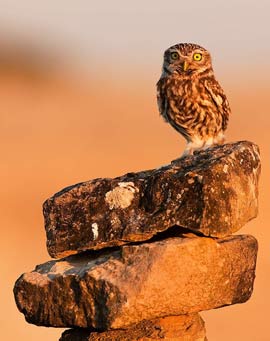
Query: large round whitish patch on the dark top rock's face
column 121, row 196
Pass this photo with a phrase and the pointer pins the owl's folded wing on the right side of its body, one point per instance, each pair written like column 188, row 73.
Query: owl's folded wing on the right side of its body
column 219, row 98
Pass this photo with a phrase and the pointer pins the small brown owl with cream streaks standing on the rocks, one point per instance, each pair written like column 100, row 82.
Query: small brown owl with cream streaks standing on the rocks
column 190, row 98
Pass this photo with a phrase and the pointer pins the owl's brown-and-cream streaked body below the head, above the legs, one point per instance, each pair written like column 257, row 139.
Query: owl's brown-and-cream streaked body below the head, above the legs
column 190, row 107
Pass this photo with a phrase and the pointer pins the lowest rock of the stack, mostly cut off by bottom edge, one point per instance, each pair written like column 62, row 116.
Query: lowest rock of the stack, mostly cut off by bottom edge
column 172, row 328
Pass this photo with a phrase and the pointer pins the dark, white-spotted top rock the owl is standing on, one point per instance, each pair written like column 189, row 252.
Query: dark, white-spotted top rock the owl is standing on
column 213, row 193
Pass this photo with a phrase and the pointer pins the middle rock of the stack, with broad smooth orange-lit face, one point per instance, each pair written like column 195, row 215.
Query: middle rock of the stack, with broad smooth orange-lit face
column 115, row 288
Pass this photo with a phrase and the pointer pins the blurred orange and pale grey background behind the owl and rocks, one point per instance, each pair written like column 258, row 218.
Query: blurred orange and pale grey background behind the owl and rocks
column 77, row 101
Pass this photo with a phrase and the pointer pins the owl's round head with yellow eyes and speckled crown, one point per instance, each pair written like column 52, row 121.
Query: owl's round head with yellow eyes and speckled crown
column 186, row 59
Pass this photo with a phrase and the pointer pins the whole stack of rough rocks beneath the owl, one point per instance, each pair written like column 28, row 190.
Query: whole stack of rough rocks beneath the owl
column 140, row 255
